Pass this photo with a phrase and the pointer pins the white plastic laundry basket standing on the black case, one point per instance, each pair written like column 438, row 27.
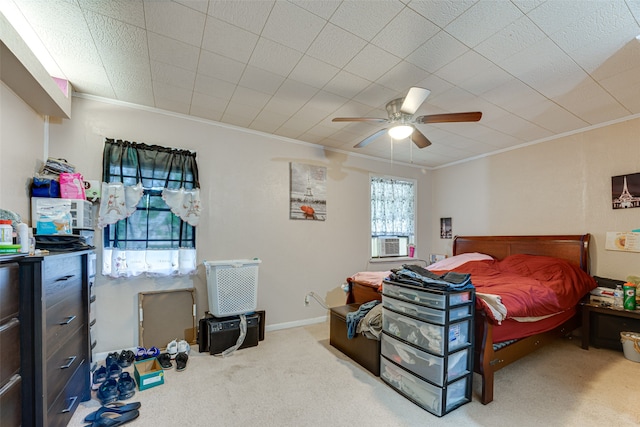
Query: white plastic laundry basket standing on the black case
column 232, row 286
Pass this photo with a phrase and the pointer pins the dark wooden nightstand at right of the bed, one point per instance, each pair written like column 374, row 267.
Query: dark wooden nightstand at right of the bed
column 601, row 326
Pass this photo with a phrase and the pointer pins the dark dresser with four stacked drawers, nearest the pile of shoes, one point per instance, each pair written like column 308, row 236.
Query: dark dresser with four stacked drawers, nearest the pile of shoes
column 55, row 349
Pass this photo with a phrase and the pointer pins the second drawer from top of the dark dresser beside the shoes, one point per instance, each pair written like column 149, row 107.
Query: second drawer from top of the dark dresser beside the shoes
column 63, row 318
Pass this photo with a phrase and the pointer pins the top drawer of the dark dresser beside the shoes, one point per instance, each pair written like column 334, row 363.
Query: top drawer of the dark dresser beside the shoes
column 59, row 276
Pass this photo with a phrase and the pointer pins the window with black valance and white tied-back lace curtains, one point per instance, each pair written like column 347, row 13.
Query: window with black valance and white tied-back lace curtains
column 149, row 208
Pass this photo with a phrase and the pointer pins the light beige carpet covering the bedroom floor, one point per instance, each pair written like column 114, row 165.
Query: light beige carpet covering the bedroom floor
column 295, row 378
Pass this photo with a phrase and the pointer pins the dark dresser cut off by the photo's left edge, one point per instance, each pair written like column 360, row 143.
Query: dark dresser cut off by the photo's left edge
column 10, row 378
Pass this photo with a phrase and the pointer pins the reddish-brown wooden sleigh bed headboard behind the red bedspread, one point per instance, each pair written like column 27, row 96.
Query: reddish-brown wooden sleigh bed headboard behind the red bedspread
column 572, row 248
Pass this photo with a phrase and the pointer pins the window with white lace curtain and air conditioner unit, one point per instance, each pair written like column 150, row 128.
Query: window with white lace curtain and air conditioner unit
column 392, row 216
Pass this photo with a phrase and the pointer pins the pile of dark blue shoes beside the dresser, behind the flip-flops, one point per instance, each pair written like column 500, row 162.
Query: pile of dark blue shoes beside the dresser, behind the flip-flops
column 111, row 382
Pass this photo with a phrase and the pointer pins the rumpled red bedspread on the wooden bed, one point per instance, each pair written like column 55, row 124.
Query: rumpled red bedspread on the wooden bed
column 529, row 285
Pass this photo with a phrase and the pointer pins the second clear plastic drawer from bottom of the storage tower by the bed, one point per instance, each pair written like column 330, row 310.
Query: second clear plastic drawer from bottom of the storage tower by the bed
column 425, row 365
